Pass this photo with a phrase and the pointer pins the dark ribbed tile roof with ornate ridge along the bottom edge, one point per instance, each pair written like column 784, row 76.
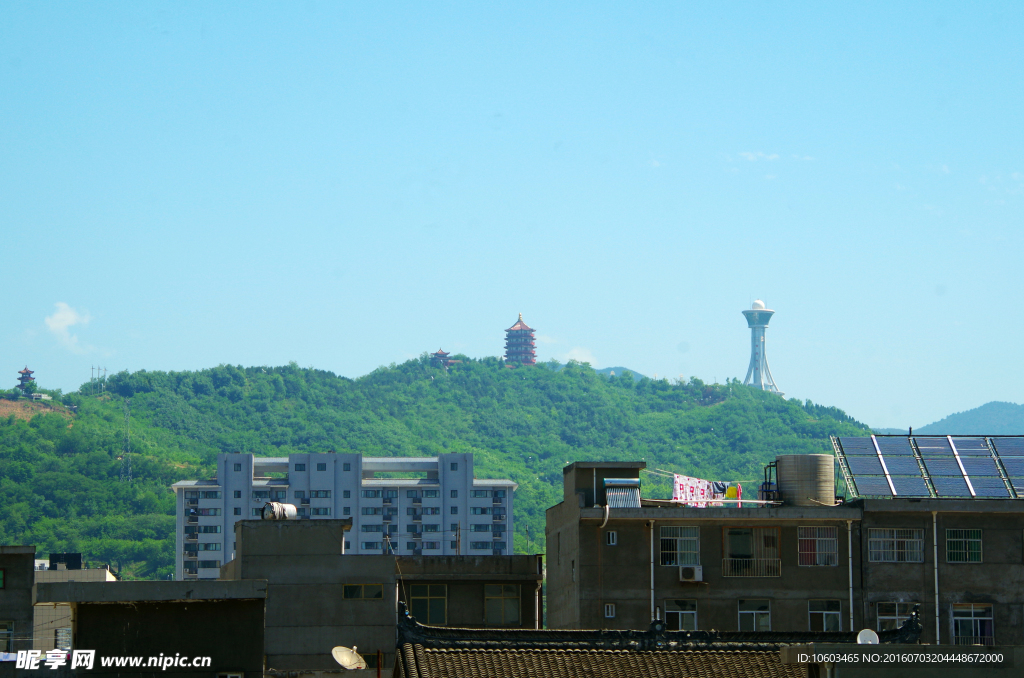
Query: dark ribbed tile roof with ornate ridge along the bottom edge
column 416, row 662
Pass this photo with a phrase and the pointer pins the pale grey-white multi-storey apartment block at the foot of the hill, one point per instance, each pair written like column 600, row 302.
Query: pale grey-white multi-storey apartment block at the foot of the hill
column 405, row 505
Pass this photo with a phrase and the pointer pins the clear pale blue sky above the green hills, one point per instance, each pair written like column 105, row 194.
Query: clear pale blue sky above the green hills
column 348, row 186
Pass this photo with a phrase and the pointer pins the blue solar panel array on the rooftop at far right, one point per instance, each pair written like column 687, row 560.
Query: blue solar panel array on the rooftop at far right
column 955, row 468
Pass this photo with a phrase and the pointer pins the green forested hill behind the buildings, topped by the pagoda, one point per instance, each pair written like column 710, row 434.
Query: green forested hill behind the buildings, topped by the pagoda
column 60, row 479
